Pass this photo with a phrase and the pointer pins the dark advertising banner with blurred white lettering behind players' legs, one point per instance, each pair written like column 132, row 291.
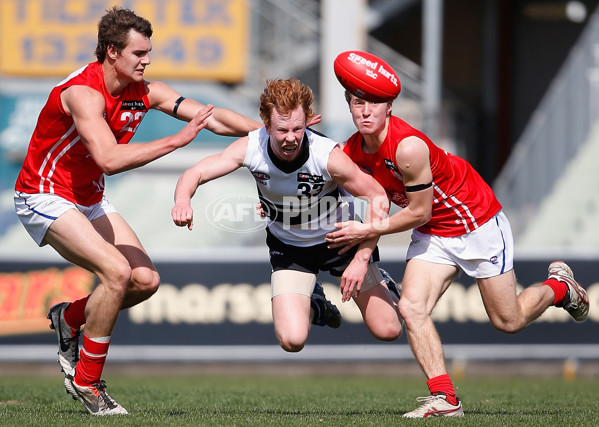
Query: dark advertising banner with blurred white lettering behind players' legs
column 228, row 303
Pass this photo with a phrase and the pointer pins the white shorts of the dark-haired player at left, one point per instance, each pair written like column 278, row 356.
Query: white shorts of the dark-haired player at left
column 38, row 211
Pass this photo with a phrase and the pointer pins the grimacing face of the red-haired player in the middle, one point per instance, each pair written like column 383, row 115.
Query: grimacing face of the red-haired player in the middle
column 286, row 133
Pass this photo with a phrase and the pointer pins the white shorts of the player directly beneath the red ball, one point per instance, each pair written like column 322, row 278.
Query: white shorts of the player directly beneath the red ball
column 485, row 252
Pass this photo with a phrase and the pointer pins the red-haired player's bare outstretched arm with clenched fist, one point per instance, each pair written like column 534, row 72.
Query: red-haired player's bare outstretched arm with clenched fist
column 207, row 169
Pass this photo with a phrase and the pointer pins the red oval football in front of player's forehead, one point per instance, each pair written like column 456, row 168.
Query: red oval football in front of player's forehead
column 366, row 76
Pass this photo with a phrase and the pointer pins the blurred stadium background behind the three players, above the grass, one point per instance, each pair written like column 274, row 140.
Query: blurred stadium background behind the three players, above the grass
column 511, row 86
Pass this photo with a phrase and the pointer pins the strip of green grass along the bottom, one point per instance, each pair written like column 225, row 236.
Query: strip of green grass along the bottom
column 197, row 400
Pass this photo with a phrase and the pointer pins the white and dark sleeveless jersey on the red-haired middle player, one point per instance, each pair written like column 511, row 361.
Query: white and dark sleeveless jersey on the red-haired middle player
column 300, row 197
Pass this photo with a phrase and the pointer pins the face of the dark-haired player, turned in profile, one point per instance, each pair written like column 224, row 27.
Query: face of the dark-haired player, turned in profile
column 132, row 61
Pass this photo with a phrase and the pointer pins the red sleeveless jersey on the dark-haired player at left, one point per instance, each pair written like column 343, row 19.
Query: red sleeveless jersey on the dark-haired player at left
column 57, row 161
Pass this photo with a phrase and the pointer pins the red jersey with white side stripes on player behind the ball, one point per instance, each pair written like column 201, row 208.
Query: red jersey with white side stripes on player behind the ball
column 462, row 200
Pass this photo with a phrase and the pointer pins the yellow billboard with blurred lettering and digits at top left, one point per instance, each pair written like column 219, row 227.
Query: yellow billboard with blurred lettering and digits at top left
column 193, row 39
